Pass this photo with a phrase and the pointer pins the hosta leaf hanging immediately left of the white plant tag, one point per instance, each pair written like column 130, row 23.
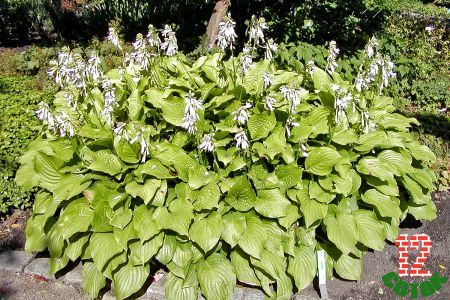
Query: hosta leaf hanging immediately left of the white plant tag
column 303, row 266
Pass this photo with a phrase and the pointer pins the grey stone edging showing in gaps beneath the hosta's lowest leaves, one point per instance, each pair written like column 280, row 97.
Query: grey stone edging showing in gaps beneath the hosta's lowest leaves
column 25, row 263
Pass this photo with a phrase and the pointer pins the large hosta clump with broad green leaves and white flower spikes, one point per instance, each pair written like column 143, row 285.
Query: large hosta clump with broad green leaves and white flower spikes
column 224, row 170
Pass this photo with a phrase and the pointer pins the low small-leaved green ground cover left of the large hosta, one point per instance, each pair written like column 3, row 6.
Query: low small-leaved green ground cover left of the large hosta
column 18, row 126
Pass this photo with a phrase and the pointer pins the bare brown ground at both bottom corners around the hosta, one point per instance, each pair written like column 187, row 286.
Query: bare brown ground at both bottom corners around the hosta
column 376, row 264
